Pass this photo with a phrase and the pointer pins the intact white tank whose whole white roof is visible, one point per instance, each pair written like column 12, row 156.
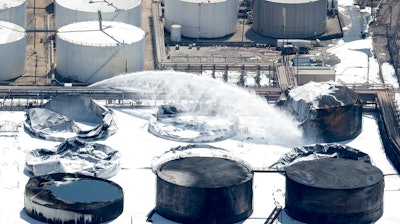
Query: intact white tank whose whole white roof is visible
column 89, row 54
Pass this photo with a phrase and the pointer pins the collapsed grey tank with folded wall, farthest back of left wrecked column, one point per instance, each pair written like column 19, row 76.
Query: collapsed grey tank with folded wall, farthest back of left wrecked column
column 70, row 117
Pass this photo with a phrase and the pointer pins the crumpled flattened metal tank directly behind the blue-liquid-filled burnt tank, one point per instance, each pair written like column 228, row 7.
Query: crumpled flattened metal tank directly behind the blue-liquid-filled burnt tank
column 74, row 156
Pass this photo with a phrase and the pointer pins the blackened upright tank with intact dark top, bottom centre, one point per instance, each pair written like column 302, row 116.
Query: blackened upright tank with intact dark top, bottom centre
column 204, row 190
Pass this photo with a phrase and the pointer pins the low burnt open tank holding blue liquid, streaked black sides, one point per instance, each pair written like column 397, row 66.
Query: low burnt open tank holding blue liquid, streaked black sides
column 73, row 198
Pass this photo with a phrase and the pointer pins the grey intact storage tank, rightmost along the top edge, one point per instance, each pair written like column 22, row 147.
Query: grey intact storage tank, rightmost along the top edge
column 289, row 18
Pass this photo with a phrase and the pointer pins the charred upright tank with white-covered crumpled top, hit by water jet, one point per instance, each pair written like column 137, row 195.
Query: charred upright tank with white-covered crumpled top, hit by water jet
column 327, row 111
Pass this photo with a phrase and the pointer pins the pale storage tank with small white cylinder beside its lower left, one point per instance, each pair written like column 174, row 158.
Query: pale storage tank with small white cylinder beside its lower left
column 202, row 18
